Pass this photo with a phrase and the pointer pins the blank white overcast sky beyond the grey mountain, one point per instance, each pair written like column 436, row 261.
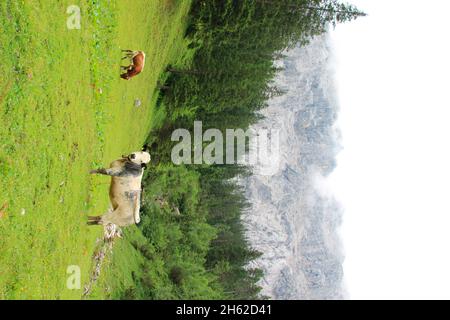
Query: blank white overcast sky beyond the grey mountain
column 394, row 172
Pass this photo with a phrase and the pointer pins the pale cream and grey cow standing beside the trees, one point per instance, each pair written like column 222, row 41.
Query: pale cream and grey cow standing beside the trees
column 125, row 190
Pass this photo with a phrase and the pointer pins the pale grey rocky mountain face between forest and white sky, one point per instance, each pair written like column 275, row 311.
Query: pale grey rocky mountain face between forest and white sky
column 293, row 220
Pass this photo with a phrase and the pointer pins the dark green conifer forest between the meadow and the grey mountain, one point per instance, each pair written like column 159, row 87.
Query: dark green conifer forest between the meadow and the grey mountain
column 200, row 249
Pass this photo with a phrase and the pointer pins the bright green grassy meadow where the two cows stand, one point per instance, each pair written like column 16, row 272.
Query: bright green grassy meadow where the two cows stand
column 63, row 111
